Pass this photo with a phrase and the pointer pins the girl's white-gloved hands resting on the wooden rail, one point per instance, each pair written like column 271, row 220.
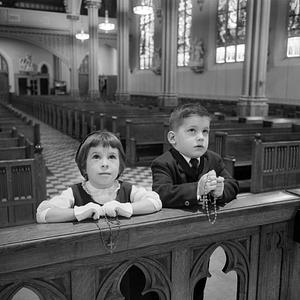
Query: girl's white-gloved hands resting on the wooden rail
column 95, row 211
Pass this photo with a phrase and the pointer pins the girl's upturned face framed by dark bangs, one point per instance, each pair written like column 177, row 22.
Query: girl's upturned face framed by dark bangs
column 102, row 166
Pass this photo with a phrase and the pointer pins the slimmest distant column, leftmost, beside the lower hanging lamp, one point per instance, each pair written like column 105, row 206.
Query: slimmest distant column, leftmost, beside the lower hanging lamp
column 74, row 81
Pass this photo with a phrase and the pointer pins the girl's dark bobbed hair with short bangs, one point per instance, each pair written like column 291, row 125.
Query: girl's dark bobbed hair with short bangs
column 94, row 139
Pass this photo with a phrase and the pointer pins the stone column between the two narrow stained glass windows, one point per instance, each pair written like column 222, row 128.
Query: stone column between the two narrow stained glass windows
column 168, row 95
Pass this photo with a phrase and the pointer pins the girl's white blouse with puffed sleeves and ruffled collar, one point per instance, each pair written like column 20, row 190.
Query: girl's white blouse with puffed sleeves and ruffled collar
column 101, row 196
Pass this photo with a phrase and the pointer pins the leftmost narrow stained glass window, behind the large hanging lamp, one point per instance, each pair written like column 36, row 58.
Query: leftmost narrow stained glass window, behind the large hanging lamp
column 146, row 50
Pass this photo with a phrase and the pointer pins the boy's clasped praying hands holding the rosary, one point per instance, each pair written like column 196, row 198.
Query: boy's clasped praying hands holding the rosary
column 209, row 182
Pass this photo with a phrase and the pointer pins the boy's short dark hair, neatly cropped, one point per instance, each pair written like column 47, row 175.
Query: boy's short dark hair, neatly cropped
column 184, row 111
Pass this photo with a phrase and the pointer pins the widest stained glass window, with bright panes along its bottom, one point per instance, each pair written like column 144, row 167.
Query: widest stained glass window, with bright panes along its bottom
column 231, row 31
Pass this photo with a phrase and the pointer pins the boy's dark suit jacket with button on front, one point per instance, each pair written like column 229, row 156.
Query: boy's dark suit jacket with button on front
column 173, row 182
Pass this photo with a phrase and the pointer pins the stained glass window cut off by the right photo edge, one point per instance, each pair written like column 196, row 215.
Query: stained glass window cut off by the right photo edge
column 293, row 44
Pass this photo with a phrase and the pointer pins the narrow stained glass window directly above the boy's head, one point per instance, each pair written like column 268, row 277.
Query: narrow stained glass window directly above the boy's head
column 184, row 32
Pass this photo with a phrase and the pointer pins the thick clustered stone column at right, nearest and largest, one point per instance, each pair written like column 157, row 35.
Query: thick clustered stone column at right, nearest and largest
column 253, row 101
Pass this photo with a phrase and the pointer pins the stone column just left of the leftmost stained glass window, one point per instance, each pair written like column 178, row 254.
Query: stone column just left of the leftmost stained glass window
column 122, row 93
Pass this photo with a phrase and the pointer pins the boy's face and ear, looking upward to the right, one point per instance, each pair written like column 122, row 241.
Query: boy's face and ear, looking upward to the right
column 191, row 137
